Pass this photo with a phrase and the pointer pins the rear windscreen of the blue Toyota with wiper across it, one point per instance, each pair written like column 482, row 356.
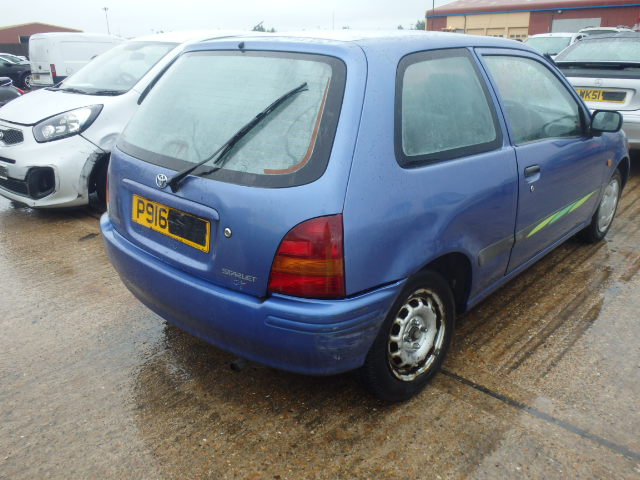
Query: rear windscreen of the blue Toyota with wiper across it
column 205, row 98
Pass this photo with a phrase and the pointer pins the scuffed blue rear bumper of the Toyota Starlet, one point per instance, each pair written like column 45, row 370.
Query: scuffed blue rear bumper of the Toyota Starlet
column 315, row 337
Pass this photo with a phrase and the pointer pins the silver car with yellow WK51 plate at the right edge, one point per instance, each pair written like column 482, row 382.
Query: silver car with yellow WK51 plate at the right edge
column 605, row 70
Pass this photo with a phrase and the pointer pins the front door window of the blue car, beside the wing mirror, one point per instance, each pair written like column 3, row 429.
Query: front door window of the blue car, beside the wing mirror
column 537, row 104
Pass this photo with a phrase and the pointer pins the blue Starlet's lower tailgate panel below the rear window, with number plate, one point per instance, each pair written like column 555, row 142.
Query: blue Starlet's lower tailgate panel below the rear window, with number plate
column 223, row 233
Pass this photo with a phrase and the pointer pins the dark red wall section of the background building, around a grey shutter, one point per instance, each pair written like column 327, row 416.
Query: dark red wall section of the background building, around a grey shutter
column 540, row 22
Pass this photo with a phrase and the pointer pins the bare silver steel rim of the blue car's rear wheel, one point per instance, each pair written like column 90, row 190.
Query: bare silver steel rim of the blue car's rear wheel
column 416, row 335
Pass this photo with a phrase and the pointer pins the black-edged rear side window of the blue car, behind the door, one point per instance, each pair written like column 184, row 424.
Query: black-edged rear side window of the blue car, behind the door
column 443, row 109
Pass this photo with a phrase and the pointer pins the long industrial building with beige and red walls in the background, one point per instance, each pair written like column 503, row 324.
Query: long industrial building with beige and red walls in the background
column 517, row 19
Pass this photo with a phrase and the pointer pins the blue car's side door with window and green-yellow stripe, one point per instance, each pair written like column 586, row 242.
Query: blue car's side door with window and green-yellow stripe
column 560, row 166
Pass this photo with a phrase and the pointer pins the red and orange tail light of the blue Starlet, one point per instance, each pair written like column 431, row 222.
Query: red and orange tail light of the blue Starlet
column 310, row 260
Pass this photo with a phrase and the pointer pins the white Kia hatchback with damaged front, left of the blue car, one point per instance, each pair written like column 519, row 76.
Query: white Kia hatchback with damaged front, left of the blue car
column 56, row 141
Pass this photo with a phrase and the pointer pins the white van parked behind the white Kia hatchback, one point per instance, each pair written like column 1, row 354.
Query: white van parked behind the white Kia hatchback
column 55, row 56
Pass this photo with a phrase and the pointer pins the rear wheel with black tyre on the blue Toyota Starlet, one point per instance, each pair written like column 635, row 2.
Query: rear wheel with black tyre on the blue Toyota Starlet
column 413, row 339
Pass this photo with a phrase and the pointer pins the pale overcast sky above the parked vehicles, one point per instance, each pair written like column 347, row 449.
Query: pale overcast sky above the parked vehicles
column 140, row 17
